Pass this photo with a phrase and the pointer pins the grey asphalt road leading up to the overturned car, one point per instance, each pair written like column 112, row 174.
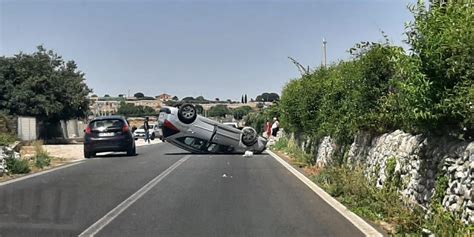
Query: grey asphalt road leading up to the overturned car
column 165, row 191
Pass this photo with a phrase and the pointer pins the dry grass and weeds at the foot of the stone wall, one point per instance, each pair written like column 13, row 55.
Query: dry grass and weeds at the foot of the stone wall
column 383, row 206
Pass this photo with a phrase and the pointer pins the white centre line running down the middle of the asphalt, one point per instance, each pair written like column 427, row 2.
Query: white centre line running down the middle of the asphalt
column 111, row 215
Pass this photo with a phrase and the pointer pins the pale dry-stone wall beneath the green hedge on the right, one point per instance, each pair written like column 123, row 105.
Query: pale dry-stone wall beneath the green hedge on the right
column 420, row 162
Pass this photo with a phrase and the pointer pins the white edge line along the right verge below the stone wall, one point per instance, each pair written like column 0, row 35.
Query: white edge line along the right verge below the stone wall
column 357, row 221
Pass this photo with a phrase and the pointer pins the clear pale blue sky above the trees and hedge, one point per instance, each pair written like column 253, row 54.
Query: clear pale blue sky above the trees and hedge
column 215, row 48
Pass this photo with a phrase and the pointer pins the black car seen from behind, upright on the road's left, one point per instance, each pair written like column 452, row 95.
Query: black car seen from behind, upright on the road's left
column 110, row 133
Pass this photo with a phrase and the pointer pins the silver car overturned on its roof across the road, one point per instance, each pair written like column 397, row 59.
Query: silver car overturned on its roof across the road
column 186, row 129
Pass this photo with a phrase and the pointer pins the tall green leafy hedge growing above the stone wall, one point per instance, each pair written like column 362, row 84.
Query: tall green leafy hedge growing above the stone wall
column 429, row 89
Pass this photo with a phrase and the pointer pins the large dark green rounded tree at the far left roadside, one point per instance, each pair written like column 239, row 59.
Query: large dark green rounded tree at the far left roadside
column 42, row 85
